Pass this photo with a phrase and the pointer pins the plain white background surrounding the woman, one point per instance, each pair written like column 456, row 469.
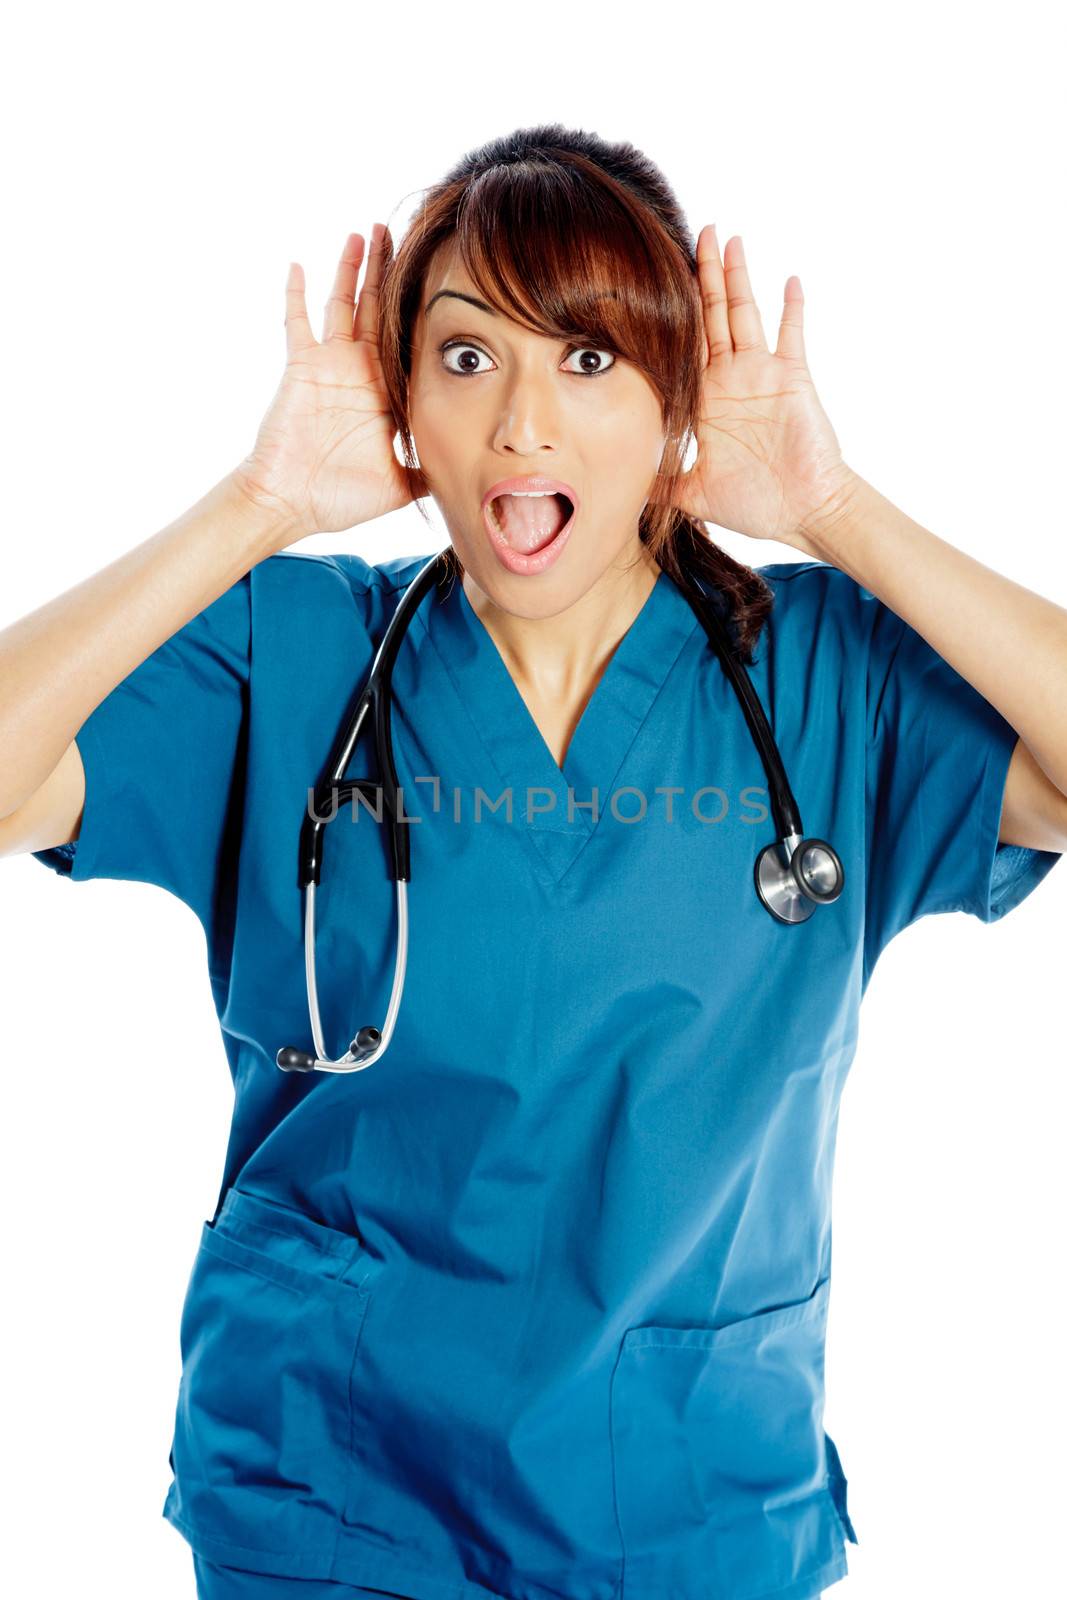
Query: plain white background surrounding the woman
column 162, row 170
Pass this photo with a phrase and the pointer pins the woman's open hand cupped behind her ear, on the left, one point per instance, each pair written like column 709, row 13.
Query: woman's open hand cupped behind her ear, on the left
column 326, row 449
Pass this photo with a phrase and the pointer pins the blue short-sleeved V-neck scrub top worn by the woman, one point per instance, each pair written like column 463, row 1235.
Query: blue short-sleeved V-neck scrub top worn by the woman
column 537, row 1305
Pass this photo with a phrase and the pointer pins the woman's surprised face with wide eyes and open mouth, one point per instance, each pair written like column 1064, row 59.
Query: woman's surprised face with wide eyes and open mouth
column 503, row 402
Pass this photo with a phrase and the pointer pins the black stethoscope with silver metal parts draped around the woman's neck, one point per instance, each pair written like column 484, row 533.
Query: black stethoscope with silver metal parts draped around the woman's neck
column 793, row 876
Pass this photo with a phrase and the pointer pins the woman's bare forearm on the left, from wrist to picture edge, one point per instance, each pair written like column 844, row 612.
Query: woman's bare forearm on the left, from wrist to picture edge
column 63, row 660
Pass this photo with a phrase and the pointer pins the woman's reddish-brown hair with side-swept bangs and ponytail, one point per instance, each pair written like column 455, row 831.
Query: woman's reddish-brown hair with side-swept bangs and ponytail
column 545, row 220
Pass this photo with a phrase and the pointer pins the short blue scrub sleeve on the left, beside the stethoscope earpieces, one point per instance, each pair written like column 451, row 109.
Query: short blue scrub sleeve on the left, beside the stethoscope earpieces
column 164, row 761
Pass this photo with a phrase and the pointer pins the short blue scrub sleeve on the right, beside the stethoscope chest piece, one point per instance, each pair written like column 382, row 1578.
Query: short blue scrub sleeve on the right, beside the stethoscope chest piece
column 938, row 756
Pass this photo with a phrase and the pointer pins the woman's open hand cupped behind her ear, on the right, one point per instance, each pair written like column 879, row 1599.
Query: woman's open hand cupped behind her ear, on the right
column 769, row 462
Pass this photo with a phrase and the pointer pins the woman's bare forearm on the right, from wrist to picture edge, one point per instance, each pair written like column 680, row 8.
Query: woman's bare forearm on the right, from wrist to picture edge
column 1007, row 641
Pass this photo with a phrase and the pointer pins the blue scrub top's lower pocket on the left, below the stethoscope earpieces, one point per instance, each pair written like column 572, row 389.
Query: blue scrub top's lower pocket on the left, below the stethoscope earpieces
column 270, row 1338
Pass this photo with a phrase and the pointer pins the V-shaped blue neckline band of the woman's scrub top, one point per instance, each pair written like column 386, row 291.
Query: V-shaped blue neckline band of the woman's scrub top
column 551, row 806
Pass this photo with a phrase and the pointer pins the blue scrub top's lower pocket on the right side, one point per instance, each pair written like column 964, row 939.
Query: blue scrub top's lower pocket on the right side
column 725, row 1481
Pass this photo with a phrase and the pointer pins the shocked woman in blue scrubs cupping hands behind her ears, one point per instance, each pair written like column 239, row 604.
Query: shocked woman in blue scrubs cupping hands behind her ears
column 535, row 1303
